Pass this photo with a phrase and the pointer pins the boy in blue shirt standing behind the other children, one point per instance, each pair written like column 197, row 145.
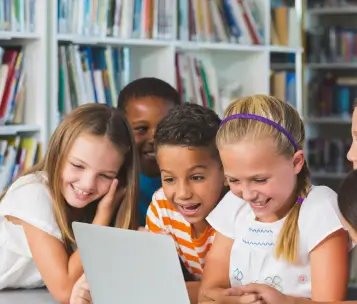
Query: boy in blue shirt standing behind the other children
column 145, row 102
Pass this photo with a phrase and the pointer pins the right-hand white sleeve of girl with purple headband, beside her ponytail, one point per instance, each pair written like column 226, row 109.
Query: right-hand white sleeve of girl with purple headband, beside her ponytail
column 319, row 216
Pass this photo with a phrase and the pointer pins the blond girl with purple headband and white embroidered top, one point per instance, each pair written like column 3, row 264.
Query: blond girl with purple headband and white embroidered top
column 270, row 227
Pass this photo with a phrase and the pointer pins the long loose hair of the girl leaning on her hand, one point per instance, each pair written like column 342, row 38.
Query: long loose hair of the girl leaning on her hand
column 97, row 120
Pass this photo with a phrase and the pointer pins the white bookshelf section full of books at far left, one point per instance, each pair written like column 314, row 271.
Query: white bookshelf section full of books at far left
column 23, row 86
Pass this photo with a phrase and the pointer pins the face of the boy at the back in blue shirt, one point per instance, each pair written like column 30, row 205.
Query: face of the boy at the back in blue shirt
column 144, row 114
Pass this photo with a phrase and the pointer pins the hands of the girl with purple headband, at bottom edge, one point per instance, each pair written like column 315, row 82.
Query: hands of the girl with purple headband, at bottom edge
column 232, row 296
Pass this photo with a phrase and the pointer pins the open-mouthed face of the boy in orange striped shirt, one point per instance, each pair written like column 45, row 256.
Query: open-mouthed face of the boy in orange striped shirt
column 192, row 180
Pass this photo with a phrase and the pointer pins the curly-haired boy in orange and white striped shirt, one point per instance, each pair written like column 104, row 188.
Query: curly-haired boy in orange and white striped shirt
column 192, row 185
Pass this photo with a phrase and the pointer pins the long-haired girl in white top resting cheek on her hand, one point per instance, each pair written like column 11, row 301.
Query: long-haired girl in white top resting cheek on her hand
column 90, row 158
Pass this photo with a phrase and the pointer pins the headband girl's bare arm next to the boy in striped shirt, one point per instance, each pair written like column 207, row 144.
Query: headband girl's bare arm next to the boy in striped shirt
column 216, row 271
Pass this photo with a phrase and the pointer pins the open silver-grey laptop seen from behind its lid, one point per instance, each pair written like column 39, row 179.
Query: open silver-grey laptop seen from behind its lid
column 130, row 267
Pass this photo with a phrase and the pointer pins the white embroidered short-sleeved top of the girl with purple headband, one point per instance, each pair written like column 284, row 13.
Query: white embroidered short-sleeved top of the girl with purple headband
column 253, row 253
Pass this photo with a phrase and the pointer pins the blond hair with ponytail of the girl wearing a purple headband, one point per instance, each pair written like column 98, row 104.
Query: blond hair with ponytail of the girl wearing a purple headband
column 286, row 116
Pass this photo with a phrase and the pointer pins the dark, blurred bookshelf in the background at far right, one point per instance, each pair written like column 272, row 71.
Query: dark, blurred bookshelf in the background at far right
column 331, row 87
